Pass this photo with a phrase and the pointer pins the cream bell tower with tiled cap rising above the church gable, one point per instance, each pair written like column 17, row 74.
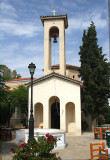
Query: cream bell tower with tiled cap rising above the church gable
column 54, row 27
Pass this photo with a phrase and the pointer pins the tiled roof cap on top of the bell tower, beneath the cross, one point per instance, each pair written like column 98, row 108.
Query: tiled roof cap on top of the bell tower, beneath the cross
column 55, row 17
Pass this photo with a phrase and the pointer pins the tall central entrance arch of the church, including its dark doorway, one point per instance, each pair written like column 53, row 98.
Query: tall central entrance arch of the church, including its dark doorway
column 54, row 112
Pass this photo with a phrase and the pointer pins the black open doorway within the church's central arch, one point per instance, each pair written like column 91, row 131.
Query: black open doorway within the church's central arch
column 55, row 115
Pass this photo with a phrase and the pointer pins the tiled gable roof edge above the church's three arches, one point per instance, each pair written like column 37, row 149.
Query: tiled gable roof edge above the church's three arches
column 56, row 75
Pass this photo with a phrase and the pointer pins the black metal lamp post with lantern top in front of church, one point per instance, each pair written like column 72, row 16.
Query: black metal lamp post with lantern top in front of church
column 31, row 120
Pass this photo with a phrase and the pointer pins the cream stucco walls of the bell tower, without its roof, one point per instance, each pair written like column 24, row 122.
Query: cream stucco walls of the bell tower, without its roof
column 48, row 24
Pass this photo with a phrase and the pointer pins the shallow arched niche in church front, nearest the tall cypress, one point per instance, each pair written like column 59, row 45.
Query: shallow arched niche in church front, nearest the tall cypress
column 70, row 117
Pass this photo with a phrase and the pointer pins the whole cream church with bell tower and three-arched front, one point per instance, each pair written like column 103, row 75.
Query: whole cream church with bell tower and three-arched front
column 56, row 95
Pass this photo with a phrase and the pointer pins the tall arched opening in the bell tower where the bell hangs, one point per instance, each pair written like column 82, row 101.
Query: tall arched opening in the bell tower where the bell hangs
column 54, row 45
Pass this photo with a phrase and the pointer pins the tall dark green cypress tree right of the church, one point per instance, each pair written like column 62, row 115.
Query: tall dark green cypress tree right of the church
column 94, row 73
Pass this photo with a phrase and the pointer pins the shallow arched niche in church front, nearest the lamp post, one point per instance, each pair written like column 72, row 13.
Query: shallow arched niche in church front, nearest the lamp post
column 38, row 114
